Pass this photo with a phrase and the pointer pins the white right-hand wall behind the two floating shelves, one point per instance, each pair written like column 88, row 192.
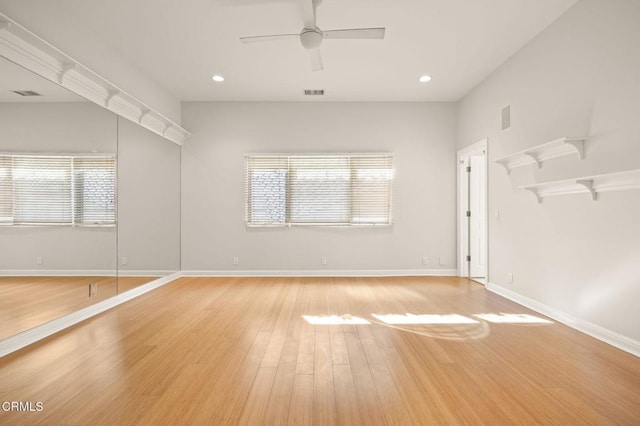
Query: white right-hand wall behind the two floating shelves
column 580, row 77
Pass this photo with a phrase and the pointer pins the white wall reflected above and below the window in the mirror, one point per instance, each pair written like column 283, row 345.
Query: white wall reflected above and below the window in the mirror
column 57, row 128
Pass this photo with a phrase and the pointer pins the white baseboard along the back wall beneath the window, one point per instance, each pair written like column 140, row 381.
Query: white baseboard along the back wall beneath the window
column 323, row 273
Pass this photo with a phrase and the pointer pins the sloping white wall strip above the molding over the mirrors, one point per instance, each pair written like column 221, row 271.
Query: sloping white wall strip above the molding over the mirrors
column 52, row 21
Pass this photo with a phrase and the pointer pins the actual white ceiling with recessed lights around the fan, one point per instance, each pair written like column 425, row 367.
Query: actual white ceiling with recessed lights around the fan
column 181, row 44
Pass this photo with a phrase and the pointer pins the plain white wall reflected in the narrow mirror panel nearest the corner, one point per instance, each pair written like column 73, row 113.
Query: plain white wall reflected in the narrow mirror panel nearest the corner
column 148, row 200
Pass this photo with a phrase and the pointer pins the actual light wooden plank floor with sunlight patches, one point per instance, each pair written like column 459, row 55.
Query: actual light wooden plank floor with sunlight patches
column 239, row 351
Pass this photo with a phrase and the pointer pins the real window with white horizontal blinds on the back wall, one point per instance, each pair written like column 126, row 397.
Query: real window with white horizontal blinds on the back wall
column 345, row 189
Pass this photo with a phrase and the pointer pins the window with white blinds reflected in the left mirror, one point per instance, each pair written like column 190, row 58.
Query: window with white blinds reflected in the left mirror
column 57, row 190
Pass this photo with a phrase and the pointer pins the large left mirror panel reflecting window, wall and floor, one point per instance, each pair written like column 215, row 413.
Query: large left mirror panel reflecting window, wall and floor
column 58, row 201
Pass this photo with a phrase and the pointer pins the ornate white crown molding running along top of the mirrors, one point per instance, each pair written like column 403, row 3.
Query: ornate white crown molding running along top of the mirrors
column 19, row 45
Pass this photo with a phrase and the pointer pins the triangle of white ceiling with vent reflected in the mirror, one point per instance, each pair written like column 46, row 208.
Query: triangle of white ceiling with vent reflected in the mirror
column 15, row 77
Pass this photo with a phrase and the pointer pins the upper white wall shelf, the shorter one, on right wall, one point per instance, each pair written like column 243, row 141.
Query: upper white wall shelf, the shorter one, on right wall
column 538, row 154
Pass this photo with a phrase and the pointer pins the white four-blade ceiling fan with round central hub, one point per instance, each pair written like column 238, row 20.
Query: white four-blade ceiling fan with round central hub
column 311, row 36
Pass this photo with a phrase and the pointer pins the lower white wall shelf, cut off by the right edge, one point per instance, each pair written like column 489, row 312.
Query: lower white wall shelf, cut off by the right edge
column 591, row 185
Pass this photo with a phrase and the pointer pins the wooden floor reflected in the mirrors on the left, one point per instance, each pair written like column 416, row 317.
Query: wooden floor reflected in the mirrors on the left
column 26, row 302
